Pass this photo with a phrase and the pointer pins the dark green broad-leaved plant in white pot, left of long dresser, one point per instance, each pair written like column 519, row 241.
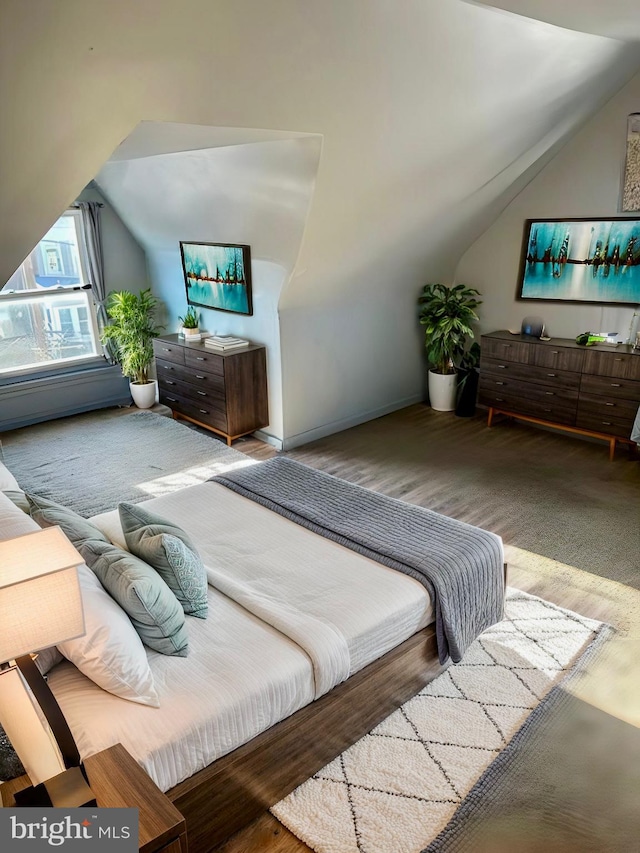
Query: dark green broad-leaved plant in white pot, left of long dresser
column 447, row 314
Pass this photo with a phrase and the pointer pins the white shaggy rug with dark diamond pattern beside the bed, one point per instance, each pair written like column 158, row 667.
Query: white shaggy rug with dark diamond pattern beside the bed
column 398, row 787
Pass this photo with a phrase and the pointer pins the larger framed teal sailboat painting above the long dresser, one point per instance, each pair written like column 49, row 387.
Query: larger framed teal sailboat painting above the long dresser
column 581, row 260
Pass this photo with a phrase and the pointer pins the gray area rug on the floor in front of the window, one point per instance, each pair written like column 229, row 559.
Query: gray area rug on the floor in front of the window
column 92, row 462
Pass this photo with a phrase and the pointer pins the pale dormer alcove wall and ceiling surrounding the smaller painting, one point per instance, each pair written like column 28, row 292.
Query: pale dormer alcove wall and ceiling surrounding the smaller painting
column 256, row 193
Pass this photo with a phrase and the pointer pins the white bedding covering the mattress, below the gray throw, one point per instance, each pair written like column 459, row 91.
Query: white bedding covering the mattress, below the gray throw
column 339, row 610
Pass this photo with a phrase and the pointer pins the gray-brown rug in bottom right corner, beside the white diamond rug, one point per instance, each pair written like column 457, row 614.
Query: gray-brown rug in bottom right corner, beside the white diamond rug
column 529, row 801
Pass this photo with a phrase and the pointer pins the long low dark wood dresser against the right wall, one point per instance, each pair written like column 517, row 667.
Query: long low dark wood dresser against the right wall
column 592, row 391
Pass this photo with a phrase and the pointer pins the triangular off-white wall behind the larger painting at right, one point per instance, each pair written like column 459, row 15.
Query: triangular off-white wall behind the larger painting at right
column 584, row 179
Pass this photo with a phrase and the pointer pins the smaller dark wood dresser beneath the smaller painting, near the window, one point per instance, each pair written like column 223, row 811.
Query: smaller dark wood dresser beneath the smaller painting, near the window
column 223, row 392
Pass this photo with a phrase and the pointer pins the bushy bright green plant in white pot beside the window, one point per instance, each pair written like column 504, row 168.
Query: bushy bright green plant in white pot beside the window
column 131, row 331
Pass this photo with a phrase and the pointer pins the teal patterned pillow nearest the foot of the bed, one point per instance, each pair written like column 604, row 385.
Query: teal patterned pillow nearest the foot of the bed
column 167, row 548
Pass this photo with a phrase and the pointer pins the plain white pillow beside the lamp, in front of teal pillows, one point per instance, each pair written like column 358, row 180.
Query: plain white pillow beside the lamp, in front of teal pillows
column 110, row 653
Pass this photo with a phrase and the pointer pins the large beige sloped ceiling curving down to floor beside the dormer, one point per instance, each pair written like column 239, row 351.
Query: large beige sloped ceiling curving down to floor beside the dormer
column 433, row 114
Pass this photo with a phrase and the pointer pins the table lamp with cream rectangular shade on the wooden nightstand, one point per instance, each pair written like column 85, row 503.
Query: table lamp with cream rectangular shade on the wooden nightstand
column 40, row 606
